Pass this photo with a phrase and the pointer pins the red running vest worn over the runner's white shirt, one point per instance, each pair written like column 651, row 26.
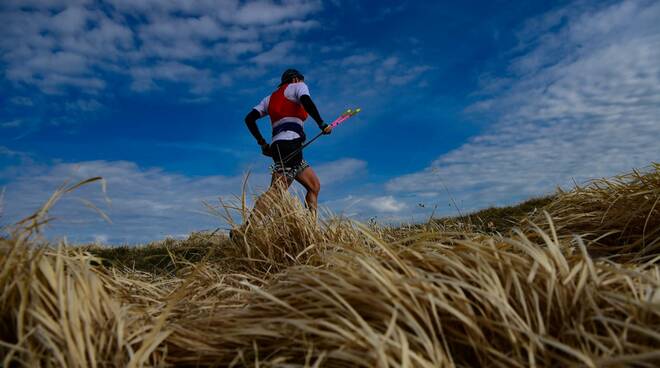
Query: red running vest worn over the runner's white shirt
column 280, row 107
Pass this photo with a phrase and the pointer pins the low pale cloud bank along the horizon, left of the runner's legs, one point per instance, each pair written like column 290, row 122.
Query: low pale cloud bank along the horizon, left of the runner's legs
column 145, row 203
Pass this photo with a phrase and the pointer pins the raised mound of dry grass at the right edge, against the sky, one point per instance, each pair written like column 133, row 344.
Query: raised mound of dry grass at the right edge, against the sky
column 617, row 217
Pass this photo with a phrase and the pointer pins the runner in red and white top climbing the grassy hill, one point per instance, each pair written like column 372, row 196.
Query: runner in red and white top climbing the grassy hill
column 288, row 108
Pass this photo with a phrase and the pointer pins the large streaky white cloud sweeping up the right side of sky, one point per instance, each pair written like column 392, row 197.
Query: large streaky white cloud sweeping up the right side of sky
column 582, row 100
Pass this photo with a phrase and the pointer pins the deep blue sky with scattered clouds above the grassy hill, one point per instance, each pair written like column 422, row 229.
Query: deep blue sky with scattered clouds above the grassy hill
column 478, row 102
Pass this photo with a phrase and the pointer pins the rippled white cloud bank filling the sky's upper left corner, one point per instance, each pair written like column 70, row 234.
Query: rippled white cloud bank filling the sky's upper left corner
column 60, row 45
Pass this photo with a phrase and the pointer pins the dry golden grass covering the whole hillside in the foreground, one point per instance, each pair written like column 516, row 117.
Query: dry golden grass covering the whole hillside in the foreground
column 581, row 288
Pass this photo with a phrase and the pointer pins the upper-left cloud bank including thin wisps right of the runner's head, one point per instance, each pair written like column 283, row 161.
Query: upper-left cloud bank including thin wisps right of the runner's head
column 196, row 49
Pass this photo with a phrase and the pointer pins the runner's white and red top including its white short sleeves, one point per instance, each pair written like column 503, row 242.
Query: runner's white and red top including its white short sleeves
column 280, row 114
